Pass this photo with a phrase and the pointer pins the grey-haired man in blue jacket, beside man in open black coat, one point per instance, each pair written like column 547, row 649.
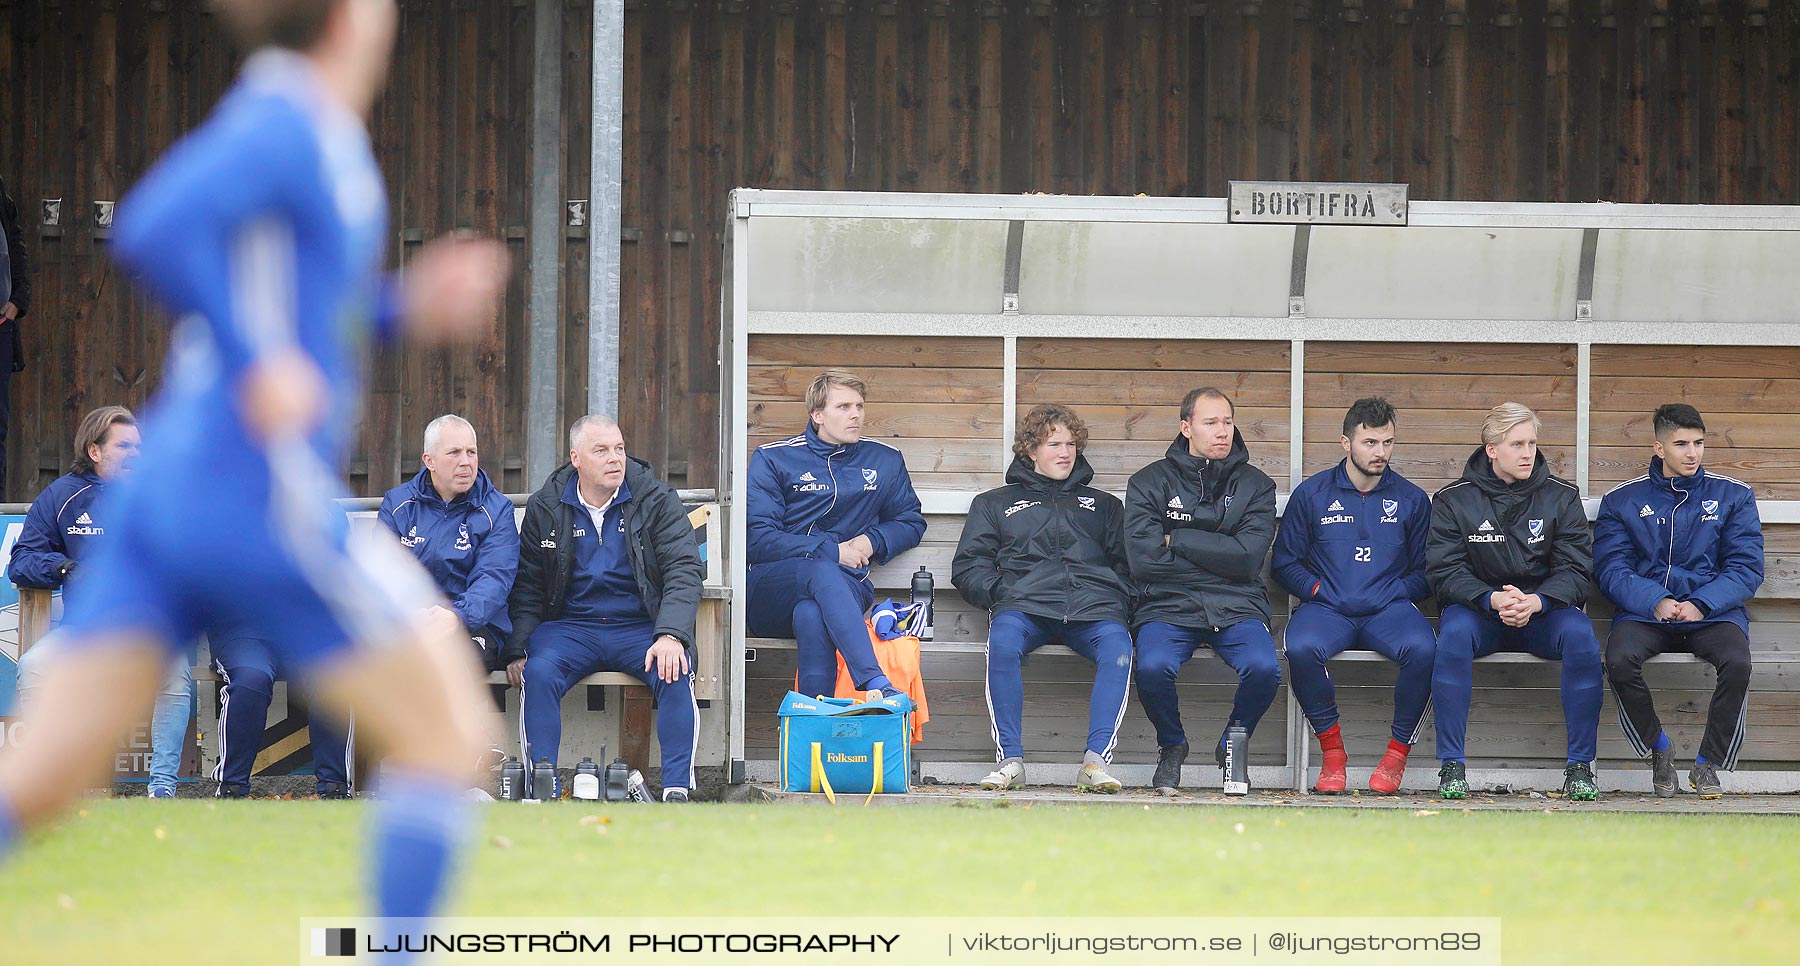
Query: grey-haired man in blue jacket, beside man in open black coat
column 462, row 528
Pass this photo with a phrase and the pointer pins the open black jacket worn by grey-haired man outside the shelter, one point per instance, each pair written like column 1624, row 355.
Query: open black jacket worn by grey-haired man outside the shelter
column 665, row 557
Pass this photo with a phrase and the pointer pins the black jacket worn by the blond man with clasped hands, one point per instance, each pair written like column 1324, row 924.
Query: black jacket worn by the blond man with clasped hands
column 1488, row 533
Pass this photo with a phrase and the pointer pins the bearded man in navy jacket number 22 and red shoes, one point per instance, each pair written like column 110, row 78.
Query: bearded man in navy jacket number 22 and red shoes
column 1353, row 551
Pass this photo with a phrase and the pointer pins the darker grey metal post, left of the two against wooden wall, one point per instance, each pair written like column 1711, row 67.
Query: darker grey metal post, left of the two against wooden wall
column 543, row 454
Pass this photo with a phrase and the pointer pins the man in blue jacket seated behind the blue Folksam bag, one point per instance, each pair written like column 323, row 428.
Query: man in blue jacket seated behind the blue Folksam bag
column 823, row 506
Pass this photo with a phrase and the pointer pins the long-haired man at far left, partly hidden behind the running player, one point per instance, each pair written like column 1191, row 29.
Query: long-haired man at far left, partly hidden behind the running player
column 64, row 528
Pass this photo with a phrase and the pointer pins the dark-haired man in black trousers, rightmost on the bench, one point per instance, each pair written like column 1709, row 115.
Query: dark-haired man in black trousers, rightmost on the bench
column 1680, row 551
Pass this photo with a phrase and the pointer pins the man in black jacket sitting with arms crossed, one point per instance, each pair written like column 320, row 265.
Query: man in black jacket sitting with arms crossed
column 1198, row 528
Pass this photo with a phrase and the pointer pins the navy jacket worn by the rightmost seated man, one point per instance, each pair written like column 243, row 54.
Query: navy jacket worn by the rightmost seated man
column 1695, row 541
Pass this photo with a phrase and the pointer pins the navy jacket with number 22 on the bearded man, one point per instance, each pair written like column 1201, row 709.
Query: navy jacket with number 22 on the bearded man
column 1353, row 551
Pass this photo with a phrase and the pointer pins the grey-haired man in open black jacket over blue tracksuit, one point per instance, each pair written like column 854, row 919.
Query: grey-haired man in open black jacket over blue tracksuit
column 609, row 580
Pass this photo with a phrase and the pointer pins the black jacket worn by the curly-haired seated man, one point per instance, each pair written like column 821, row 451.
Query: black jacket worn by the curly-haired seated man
column 1047, row 548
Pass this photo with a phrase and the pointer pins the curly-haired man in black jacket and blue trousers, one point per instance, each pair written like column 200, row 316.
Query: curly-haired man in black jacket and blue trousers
column 1047, row 557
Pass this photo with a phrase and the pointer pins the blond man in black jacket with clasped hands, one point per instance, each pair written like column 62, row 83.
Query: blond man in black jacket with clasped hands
column 1509, row 559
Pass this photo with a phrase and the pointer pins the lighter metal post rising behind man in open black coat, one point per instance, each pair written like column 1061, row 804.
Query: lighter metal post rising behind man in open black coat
column 607, row 197
